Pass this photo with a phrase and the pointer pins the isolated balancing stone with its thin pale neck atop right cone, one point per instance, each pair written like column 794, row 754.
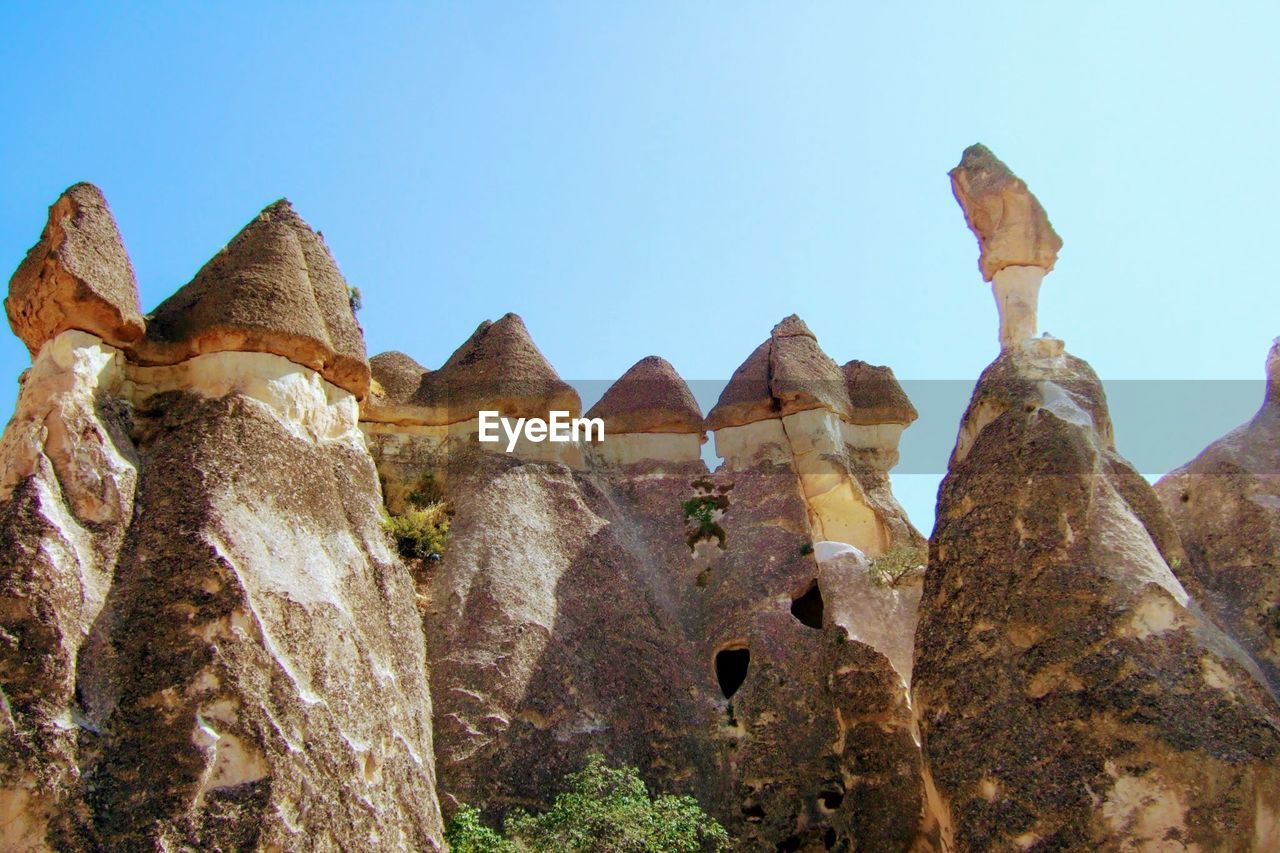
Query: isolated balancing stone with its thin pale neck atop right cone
column 1018, row 245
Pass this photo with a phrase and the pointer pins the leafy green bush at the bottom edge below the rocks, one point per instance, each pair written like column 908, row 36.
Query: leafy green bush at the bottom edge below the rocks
column 605, row 810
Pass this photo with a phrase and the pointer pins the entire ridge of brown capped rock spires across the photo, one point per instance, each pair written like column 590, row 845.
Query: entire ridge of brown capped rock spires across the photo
column 209, row 640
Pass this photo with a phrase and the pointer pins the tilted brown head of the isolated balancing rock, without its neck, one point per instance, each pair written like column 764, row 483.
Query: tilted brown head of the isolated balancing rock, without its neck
column 1009, row 222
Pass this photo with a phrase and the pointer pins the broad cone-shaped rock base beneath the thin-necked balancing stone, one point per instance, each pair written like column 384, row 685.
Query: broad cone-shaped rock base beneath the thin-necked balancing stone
column 1069, row 692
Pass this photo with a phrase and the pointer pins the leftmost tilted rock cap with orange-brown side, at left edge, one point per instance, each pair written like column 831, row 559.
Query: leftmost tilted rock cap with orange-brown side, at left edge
column 77, row 277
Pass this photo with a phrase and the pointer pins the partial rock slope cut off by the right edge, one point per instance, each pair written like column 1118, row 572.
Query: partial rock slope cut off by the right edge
column 1227, row 508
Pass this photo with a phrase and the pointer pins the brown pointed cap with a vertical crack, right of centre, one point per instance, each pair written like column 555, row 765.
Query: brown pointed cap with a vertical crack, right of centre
column 787, row 375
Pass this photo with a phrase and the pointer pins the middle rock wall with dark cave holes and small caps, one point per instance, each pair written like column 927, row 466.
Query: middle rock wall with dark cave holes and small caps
column 620, row 597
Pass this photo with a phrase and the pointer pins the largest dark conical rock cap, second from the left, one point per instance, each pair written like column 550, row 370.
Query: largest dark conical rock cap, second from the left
column 275, row 289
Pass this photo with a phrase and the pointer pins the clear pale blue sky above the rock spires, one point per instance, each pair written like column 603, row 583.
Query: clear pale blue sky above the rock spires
column 675, row 179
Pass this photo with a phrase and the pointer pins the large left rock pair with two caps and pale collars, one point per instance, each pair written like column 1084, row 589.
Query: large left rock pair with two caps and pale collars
column 207, row 641
